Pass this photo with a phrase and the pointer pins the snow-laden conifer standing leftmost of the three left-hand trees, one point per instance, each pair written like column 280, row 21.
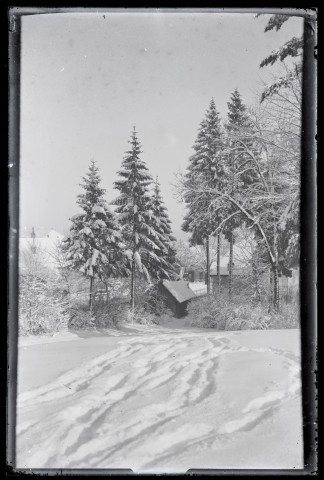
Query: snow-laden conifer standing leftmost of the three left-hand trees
column 93, row 245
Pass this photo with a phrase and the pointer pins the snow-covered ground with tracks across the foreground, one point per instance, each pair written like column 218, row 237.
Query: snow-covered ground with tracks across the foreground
column 160, row 399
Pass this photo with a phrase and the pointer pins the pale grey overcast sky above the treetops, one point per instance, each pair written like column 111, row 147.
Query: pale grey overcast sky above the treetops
column 88, row 78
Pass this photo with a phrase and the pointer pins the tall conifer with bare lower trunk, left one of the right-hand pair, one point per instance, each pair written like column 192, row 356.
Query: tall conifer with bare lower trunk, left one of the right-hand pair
column 205, row 165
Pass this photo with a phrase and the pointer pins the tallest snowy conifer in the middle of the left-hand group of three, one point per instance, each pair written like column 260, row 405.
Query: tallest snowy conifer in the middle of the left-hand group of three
column 134, row 209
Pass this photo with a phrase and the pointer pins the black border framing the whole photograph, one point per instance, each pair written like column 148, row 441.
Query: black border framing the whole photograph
column 308, row 239
